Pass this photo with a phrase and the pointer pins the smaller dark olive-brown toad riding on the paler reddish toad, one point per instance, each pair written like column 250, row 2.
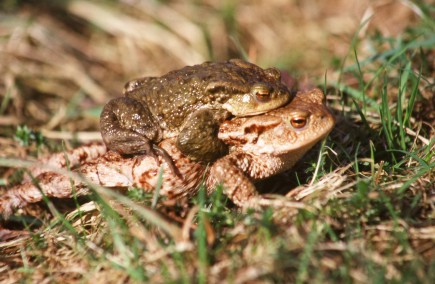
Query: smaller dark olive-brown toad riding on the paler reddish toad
column 189, row 103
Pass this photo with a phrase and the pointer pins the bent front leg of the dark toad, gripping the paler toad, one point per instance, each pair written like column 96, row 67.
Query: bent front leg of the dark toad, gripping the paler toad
column 199, row 137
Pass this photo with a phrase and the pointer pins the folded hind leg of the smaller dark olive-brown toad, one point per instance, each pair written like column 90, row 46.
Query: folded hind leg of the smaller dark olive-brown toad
column 130, row 128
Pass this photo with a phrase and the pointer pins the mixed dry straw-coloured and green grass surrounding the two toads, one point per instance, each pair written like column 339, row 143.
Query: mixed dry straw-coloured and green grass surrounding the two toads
column 367, row 193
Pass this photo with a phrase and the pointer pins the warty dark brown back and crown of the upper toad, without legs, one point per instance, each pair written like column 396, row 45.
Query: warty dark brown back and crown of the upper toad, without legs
column 174, row 96
